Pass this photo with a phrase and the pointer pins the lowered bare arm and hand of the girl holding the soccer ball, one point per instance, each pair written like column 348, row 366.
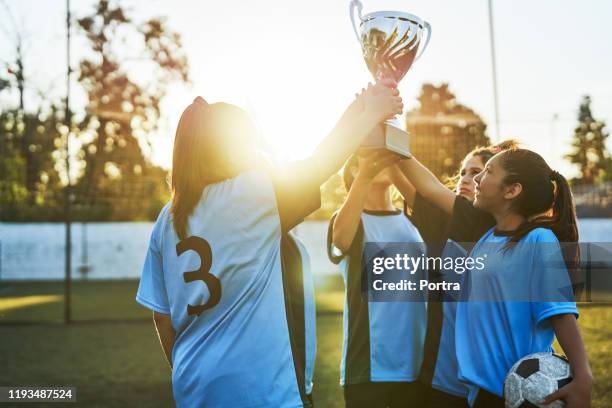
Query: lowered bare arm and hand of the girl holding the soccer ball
column 578, row 392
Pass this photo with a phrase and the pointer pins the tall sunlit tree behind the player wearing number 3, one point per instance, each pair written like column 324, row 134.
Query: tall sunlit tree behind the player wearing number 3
column 122, row 113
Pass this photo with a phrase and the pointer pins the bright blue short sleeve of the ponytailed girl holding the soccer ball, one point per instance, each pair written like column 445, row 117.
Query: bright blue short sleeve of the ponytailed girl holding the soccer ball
column 551, row 288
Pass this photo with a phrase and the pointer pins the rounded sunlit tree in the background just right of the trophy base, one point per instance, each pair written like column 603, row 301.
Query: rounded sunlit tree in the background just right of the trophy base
column 442, row 131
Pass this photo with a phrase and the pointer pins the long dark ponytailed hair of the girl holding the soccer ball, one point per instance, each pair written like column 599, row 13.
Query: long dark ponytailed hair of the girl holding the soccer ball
column 545, row 200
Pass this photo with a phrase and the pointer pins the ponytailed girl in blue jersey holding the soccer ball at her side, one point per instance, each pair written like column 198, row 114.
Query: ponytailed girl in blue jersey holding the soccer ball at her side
column 510, row 312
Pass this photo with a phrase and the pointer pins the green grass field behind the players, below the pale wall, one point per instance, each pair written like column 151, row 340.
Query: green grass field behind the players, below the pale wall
column 112, row 356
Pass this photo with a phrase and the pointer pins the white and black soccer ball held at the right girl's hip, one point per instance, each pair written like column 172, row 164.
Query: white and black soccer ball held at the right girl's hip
column 533, row 378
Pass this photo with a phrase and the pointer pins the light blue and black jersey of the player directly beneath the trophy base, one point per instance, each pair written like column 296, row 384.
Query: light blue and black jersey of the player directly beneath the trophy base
column 383, row 341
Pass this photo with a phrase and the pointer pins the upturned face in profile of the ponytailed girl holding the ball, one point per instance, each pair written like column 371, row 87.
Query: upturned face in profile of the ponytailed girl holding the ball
column 491, row 194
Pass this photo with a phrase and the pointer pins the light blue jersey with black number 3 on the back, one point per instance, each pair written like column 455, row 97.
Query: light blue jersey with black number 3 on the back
column 236, row 306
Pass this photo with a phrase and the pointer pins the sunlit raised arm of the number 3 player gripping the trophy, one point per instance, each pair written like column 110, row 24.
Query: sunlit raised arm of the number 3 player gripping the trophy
column 373, row 105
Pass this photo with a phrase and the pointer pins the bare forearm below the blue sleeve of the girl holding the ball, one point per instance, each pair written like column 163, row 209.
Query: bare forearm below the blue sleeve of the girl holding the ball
column 568, row 335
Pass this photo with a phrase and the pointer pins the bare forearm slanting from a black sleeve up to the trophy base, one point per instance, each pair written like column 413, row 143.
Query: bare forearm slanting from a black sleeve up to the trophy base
column 427, row 184
